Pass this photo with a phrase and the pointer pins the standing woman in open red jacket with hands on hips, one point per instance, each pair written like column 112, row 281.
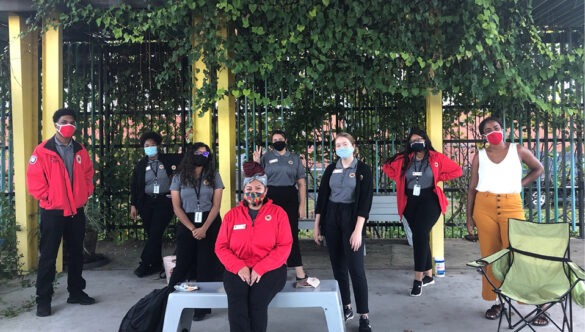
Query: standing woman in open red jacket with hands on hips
column 417, row 170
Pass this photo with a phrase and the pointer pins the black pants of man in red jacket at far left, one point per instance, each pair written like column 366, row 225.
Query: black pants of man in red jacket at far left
column 53, row 228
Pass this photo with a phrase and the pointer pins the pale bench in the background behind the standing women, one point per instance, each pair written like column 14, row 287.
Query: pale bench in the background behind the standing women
column 384, row 211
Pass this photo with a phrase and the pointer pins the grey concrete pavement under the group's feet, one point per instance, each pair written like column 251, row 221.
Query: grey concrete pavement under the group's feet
column 452, row 304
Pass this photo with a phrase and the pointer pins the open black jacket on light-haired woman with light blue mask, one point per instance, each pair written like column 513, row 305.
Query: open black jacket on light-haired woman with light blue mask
column 364, row 191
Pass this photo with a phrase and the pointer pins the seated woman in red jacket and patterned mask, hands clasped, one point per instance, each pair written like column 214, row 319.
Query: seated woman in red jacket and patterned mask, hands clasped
column 253, row 244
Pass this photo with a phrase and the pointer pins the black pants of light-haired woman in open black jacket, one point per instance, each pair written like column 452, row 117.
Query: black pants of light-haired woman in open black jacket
column 338, row 228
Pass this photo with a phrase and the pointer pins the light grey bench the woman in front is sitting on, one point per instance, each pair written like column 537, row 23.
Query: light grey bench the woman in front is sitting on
column 181, row 305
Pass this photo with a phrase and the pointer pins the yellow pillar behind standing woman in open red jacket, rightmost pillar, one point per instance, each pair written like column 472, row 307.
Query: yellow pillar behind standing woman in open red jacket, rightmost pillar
column 434, row 109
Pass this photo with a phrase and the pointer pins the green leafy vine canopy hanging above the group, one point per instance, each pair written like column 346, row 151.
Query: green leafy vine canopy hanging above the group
column 476, row 51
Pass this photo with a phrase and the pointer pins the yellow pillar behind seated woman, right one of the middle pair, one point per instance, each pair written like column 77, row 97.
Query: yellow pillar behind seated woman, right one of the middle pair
column 227, row 138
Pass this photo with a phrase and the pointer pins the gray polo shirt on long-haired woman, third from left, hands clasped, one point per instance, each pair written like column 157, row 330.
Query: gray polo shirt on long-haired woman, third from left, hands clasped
column 189, row 195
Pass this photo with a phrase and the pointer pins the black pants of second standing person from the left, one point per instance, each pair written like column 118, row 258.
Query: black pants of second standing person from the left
column 156, row 213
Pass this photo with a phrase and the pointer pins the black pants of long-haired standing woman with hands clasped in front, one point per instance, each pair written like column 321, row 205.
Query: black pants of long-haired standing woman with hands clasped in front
column 197, row 254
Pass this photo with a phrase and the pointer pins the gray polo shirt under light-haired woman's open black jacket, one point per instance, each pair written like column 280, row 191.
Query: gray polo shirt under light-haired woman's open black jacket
column 343, row 182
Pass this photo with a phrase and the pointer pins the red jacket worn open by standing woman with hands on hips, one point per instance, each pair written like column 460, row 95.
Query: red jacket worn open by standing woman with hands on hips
column 443, row 169
